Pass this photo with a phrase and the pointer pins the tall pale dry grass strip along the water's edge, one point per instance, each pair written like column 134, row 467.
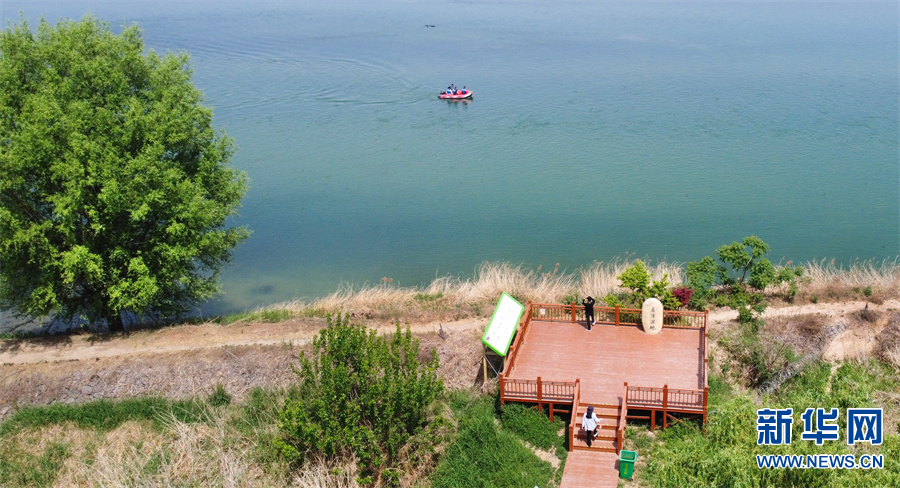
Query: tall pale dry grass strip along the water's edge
column 450, row 298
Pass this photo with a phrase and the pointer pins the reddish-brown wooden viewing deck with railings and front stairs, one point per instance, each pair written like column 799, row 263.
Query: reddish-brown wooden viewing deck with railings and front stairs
column 620, row 370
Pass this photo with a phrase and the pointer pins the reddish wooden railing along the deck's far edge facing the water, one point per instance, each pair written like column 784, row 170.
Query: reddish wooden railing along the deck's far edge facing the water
column 676, row 319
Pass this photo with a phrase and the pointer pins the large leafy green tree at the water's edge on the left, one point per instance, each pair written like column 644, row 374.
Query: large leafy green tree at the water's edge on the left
column 114, row 187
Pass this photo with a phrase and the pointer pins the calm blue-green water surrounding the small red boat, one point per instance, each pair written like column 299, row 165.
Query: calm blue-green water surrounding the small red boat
column 597, row 130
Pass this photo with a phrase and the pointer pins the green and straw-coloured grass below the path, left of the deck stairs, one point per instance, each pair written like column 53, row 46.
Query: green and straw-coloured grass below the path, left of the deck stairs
column 208, row 442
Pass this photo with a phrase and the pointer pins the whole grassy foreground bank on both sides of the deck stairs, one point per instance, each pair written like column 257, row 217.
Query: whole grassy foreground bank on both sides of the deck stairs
column 209, row 442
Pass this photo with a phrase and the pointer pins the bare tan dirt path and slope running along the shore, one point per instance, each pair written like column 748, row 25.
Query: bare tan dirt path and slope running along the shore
column 189, row 360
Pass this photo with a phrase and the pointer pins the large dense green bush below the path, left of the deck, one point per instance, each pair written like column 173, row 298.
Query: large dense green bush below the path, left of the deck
column 359, row 393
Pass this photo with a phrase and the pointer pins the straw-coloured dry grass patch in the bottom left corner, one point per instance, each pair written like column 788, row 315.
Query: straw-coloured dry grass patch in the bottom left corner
column 209, row 453
